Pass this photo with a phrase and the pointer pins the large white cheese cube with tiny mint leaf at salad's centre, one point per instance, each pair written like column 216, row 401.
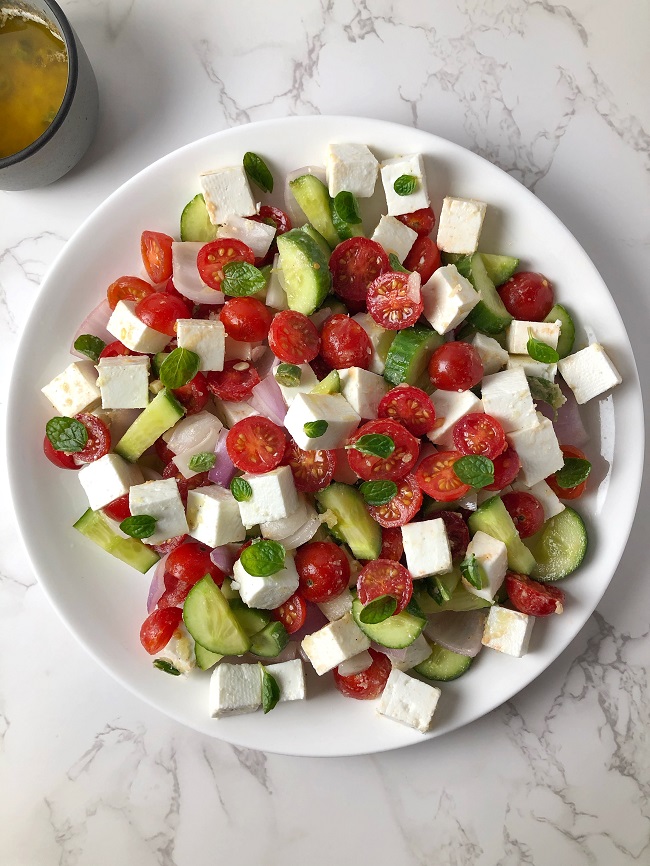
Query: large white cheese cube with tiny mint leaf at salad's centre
column 332, row 408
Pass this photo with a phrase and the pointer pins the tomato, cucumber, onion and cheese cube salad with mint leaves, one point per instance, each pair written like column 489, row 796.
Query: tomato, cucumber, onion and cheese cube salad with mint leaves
column 333, row 452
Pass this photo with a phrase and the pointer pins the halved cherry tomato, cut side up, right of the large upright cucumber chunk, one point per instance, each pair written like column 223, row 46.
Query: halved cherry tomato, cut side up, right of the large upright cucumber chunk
column 354, row 265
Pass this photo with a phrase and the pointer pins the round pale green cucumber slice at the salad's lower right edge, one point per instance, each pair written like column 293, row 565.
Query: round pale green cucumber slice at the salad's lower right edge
column 560, row 547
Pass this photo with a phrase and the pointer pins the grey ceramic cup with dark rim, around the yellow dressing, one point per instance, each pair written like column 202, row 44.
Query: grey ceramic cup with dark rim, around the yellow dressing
column 68, row 137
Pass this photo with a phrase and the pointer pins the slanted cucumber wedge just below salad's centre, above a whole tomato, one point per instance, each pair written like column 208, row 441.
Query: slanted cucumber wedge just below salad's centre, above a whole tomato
column 354, row 524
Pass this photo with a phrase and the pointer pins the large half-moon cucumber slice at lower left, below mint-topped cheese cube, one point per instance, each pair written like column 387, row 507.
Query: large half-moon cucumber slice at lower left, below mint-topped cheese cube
column 210, row 621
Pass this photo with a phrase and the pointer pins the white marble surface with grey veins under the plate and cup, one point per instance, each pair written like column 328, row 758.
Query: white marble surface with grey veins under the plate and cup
column 557, row 95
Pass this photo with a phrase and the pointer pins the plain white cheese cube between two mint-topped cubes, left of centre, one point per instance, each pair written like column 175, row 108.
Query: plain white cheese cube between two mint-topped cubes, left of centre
column 213, row 516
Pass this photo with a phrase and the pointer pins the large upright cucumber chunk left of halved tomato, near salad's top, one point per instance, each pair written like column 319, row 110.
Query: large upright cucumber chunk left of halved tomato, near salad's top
column 307, row 278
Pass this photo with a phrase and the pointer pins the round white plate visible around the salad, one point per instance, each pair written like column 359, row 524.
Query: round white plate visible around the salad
column 103, row 601
